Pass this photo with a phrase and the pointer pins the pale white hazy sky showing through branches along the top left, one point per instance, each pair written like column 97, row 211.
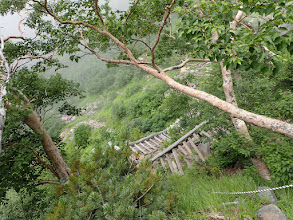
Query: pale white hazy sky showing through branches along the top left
column 9, row 23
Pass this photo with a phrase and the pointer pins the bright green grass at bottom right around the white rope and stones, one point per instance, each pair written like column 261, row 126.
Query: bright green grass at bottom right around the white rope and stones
column 197, row 201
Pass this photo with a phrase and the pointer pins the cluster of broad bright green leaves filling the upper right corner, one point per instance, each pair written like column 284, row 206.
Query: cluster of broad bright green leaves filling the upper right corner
column 199, row 18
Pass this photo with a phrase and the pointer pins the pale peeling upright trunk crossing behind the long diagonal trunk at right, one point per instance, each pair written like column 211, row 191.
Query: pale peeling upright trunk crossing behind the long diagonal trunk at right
column 239, row 124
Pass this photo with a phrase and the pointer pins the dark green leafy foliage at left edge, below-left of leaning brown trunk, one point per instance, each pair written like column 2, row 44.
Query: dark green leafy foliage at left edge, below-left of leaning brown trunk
column 17, row 162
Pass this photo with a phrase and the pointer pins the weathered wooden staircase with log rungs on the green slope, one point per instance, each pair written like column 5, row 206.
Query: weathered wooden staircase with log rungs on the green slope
column 186, row 150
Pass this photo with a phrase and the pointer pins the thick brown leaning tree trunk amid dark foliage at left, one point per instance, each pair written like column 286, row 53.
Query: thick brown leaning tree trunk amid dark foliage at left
column 50, row 148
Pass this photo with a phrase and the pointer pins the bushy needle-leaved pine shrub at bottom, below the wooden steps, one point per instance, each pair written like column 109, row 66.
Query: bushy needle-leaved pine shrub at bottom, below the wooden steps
column 110, row 187
